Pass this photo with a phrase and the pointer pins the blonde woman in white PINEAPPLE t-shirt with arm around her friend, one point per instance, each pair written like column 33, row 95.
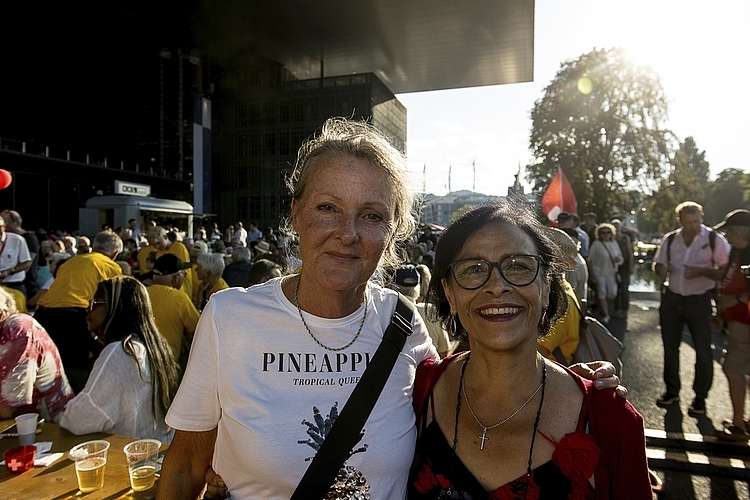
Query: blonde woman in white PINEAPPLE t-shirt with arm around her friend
column 262, row 395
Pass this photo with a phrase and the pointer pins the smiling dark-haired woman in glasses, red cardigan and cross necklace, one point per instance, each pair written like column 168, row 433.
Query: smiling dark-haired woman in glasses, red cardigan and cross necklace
column 500, row 421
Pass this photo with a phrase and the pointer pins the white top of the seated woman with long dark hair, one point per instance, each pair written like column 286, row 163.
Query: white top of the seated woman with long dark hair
column 117, row 399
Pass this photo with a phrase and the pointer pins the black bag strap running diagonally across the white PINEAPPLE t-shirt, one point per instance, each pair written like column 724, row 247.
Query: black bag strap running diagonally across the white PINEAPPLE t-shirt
column 345, row 433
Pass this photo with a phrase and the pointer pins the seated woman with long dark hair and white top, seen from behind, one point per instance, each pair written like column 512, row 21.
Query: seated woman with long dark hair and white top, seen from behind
column 135, row 377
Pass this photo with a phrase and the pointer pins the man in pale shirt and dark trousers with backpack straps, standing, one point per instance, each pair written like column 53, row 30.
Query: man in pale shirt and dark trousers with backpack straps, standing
column 692, row 260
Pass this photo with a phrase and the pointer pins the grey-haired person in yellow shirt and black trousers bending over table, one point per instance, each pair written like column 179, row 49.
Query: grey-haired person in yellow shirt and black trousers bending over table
column 62, row 310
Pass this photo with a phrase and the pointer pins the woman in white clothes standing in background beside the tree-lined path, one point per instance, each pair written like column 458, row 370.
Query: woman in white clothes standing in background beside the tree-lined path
column 605, row 257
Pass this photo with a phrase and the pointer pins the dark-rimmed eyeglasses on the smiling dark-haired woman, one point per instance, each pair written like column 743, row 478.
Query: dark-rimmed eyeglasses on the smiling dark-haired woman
column 518, row 270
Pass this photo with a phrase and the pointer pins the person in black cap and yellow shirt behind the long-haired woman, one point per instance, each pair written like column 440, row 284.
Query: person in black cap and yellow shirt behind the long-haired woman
column 175, row 315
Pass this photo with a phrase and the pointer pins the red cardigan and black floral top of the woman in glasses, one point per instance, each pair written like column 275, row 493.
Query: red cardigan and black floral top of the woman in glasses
column 614, row 448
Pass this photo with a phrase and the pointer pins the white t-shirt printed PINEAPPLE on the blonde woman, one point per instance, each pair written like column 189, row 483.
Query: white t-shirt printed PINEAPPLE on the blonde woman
column 255, row 372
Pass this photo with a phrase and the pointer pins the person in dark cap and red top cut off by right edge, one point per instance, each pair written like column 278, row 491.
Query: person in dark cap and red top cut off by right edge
column 733, row 307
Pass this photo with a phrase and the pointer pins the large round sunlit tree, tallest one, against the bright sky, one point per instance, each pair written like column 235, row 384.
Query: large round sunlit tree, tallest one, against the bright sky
column 601, row 120
